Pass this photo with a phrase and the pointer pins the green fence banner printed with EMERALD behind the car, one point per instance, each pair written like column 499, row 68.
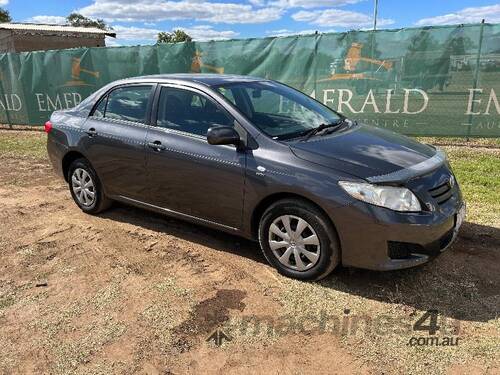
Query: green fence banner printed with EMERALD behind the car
column 432, row 81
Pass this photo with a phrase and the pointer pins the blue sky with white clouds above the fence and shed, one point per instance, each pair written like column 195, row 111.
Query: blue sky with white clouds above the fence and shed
column 139, row 21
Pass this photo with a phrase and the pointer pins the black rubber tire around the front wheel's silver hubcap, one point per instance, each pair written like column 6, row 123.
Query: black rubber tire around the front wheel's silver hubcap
column 329, row 253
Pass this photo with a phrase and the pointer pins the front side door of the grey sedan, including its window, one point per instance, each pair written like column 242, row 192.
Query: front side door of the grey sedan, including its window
column 188, row 175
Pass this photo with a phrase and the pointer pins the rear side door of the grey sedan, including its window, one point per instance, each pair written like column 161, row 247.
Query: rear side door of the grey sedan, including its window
column 115, row 139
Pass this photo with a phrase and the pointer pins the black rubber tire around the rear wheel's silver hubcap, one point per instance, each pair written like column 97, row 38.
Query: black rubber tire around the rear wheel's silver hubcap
column 100, row 202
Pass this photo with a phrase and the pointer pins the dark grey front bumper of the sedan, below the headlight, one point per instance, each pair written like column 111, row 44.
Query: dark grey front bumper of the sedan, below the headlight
column 380, row 239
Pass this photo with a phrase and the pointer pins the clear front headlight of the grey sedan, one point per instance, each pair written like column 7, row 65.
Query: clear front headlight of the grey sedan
column 395, row 198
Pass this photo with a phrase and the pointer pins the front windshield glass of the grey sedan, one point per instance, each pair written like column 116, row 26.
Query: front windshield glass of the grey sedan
column 278, row 110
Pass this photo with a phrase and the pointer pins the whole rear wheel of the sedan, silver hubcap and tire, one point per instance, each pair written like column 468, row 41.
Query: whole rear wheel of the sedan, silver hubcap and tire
column 86, row 188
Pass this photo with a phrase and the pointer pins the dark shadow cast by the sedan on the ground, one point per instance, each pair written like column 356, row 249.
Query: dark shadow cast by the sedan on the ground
column 463, row 283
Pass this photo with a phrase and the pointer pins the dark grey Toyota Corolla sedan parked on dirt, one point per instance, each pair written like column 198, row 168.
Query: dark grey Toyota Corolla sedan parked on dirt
column 259, row 159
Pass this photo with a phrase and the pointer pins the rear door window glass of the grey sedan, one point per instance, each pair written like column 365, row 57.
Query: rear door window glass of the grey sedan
column 128, row 103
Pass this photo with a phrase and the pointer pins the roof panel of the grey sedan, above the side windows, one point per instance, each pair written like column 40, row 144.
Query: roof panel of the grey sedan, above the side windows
column 200, row 78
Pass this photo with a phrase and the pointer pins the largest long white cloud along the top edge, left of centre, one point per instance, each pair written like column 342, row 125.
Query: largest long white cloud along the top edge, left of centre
column 159, row 10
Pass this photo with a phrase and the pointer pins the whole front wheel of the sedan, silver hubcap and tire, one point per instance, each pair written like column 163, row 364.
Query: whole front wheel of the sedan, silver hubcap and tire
column 298, row 240
